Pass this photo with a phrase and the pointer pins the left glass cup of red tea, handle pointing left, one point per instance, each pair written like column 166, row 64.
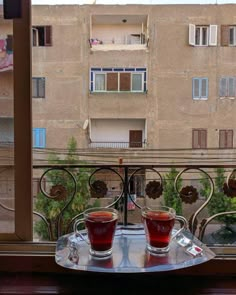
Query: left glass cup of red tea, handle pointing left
column 100, row 226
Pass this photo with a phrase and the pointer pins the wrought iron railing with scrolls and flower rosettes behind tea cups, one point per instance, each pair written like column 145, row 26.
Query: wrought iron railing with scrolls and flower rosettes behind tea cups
column 129, row 187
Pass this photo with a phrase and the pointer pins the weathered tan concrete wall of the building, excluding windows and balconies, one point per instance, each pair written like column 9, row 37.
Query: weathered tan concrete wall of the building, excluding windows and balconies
column 167, row 106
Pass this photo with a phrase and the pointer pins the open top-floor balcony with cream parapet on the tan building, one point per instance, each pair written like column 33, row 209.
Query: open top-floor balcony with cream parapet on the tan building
column 118, row 32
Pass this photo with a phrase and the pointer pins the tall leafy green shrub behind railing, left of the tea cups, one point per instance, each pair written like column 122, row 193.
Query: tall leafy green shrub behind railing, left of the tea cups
column 59, row 180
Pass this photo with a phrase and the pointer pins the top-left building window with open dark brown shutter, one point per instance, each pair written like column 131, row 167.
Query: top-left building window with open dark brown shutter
column 42, row 35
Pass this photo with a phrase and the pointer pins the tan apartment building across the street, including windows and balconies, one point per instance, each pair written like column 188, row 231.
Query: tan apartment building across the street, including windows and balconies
column 134, row 76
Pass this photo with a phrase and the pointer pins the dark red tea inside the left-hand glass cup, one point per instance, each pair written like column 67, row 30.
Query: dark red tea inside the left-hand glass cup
column 101, row 228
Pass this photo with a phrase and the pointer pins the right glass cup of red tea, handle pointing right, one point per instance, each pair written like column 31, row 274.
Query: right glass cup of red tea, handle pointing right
column 158, row 225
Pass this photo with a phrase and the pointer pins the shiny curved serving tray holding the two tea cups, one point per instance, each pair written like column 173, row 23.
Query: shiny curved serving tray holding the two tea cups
column 130, row 254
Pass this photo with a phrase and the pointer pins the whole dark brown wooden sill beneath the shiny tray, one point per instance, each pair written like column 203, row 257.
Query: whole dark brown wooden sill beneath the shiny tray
column 41, row 275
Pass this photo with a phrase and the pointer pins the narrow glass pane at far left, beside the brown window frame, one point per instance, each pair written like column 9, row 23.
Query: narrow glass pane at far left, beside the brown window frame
column 7, row 175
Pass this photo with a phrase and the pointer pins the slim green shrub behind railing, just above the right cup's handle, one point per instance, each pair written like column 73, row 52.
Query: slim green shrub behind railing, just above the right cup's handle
column 171, row 197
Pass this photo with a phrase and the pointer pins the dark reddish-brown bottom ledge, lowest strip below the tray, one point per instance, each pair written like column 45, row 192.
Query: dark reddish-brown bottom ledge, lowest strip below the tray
column 45, row 283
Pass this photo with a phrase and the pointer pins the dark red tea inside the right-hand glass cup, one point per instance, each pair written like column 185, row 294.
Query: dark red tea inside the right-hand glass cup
column 158, row 226
